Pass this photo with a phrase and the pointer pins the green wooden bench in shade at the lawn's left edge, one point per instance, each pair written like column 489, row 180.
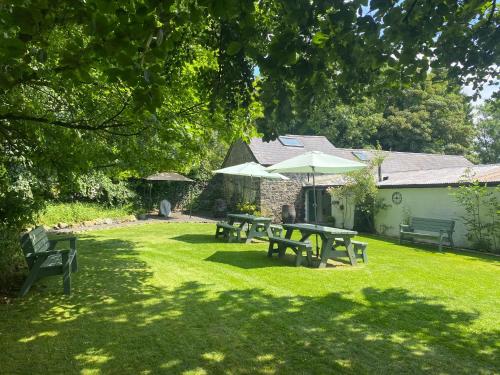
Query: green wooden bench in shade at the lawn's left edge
column 44, row 261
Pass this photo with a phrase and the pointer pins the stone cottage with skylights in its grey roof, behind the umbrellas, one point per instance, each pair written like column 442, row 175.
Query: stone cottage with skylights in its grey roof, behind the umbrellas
column 271, row 195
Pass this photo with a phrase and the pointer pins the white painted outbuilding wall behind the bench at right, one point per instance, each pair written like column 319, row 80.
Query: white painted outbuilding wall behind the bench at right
column 422, row 202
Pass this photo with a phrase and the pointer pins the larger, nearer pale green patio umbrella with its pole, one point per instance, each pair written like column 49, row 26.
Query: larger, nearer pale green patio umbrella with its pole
column 316, row 162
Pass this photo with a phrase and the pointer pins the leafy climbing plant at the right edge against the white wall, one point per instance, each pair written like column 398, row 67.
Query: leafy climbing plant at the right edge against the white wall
column 481, row 218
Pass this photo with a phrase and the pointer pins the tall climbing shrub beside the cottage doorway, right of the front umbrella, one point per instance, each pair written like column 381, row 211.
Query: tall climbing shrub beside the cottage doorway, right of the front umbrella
column 360, row 190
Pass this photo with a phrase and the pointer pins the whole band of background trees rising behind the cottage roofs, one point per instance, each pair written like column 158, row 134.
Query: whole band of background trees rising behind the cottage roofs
column 424, row 118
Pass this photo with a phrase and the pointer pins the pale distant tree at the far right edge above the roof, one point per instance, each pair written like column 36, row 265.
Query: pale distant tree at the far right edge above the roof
column 487, row 143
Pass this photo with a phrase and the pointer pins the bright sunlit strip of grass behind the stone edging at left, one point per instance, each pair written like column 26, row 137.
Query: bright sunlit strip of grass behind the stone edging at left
column 72, row 213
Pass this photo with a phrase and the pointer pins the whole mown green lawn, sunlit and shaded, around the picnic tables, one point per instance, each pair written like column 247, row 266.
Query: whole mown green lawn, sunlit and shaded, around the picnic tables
column 168, row 298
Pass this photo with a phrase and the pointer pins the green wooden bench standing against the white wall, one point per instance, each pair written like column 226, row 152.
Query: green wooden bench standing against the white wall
column 420, row 227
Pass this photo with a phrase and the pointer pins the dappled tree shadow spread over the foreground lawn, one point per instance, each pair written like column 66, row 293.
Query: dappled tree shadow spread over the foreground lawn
column 117, row 321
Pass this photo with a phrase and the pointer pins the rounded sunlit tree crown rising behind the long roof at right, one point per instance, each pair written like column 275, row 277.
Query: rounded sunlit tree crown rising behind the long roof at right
column 430, row 119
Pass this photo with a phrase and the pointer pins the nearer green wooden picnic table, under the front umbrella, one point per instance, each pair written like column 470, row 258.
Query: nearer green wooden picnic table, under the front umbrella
column 327, row 235
